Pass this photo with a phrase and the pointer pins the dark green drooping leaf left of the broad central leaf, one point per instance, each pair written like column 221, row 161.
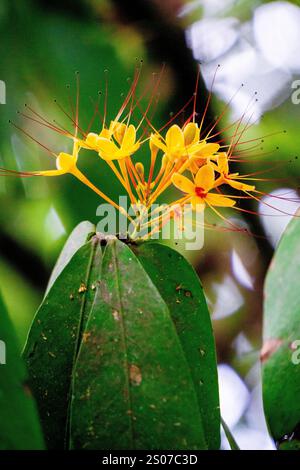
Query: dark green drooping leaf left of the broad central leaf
column 55, row 336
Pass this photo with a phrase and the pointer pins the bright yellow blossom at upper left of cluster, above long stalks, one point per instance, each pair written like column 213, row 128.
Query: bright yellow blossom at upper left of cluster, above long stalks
column 115, row 143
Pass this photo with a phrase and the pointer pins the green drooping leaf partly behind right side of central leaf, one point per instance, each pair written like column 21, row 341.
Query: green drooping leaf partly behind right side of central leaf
column 180, row 288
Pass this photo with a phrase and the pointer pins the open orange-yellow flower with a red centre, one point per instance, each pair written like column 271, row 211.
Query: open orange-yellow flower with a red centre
column 199, row 189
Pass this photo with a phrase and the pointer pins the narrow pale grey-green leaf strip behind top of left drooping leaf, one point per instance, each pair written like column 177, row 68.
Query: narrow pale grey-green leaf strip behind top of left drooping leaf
column 77, row 238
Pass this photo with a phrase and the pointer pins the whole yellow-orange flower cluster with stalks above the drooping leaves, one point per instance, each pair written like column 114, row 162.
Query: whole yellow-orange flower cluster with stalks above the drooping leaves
column 182, row 157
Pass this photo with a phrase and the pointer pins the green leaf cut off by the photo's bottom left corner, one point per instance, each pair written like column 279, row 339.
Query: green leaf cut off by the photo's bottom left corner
column 20, row 428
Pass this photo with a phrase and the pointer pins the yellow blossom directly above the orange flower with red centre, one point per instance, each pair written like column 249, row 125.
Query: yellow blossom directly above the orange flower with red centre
column 183, row 143
